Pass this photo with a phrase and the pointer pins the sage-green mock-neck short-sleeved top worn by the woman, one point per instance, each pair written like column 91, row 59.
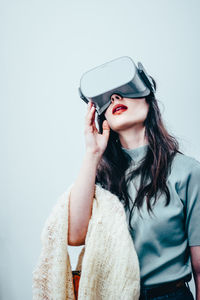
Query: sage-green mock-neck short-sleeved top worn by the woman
column 162, row 239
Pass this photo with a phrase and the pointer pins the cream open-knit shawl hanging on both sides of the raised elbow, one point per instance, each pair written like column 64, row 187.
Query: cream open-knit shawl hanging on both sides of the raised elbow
column 108, row 261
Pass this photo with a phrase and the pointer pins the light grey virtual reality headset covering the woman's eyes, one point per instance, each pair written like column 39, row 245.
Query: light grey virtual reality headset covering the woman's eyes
column 119, row 76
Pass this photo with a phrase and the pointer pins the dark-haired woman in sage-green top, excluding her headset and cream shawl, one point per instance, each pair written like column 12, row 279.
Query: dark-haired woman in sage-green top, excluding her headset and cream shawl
column 133, row 156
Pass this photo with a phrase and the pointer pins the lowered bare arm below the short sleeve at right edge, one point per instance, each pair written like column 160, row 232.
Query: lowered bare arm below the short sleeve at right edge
column 195, row 258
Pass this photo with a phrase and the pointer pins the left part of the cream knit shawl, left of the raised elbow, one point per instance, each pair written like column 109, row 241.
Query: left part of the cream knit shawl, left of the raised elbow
column 52, row 276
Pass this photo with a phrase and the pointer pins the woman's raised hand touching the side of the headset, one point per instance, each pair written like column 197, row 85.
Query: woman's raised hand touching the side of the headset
column 96, row 143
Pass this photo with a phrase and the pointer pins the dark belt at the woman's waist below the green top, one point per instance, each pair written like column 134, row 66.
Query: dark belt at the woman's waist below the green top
column 162, row 289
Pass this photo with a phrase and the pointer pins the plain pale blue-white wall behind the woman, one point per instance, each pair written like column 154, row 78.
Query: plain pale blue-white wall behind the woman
column 45, row 48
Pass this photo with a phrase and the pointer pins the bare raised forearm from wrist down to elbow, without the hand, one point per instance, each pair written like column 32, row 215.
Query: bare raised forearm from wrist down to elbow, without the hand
column 81, row 199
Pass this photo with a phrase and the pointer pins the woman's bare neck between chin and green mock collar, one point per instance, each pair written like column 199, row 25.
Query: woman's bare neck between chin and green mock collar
column 133, row 137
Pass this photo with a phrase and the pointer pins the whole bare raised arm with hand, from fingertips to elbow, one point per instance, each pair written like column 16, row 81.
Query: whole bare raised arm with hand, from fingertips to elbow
column 82, row 193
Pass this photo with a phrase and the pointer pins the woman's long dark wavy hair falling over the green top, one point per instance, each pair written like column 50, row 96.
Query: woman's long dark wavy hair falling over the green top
column 155, row 165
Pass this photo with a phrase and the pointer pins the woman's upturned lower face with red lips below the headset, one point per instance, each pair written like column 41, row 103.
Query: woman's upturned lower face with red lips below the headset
column 133, row 114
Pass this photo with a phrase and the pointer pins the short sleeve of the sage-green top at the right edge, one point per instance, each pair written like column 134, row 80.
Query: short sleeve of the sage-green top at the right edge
column 193, row 206
